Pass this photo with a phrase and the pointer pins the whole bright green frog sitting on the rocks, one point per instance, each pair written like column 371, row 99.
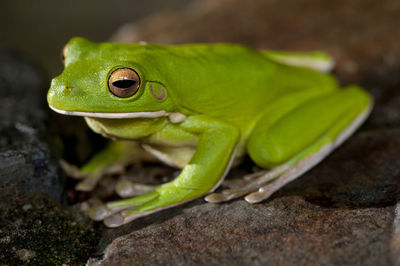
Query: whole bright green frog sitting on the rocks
column 203, row 108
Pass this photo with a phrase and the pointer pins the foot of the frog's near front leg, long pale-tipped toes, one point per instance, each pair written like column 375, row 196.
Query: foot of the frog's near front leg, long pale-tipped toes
column 117, row 213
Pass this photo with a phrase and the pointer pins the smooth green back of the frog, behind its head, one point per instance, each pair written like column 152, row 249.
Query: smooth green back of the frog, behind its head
column 233, row 82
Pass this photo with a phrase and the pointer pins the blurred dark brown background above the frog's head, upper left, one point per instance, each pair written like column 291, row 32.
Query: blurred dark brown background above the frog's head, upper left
column 40, row 28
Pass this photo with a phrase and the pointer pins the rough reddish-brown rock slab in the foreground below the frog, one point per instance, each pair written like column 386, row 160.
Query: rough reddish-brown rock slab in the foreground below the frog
column 285, row 231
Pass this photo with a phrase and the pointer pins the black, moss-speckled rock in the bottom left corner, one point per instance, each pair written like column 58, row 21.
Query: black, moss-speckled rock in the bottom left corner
column 46, row 234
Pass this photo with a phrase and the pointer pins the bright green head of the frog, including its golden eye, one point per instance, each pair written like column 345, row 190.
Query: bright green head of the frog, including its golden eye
column 110, row 80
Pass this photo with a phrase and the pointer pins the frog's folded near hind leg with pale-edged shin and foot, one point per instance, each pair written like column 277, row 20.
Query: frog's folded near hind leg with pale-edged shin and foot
column 345, row 109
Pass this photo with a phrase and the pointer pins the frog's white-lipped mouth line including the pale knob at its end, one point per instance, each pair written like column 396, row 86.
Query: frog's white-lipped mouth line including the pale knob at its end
column 174, row 117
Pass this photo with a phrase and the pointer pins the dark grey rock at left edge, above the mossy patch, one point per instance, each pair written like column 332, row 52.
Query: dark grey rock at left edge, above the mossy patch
column 26, row 166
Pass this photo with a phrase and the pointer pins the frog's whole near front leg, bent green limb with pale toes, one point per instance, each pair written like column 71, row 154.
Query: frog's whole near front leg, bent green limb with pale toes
column 209, row 164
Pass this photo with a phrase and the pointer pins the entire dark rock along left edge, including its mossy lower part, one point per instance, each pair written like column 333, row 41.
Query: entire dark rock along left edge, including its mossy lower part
column 34, row 228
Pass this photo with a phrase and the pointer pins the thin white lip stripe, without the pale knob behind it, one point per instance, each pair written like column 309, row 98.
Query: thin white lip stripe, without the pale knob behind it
column 113, row 115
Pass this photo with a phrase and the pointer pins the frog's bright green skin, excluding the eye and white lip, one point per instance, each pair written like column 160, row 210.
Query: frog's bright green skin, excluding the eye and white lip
column 229, row 98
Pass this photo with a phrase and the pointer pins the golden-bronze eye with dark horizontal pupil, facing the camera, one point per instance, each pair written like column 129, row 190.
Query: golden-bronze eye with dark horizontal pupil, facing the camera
column 123, row 82
